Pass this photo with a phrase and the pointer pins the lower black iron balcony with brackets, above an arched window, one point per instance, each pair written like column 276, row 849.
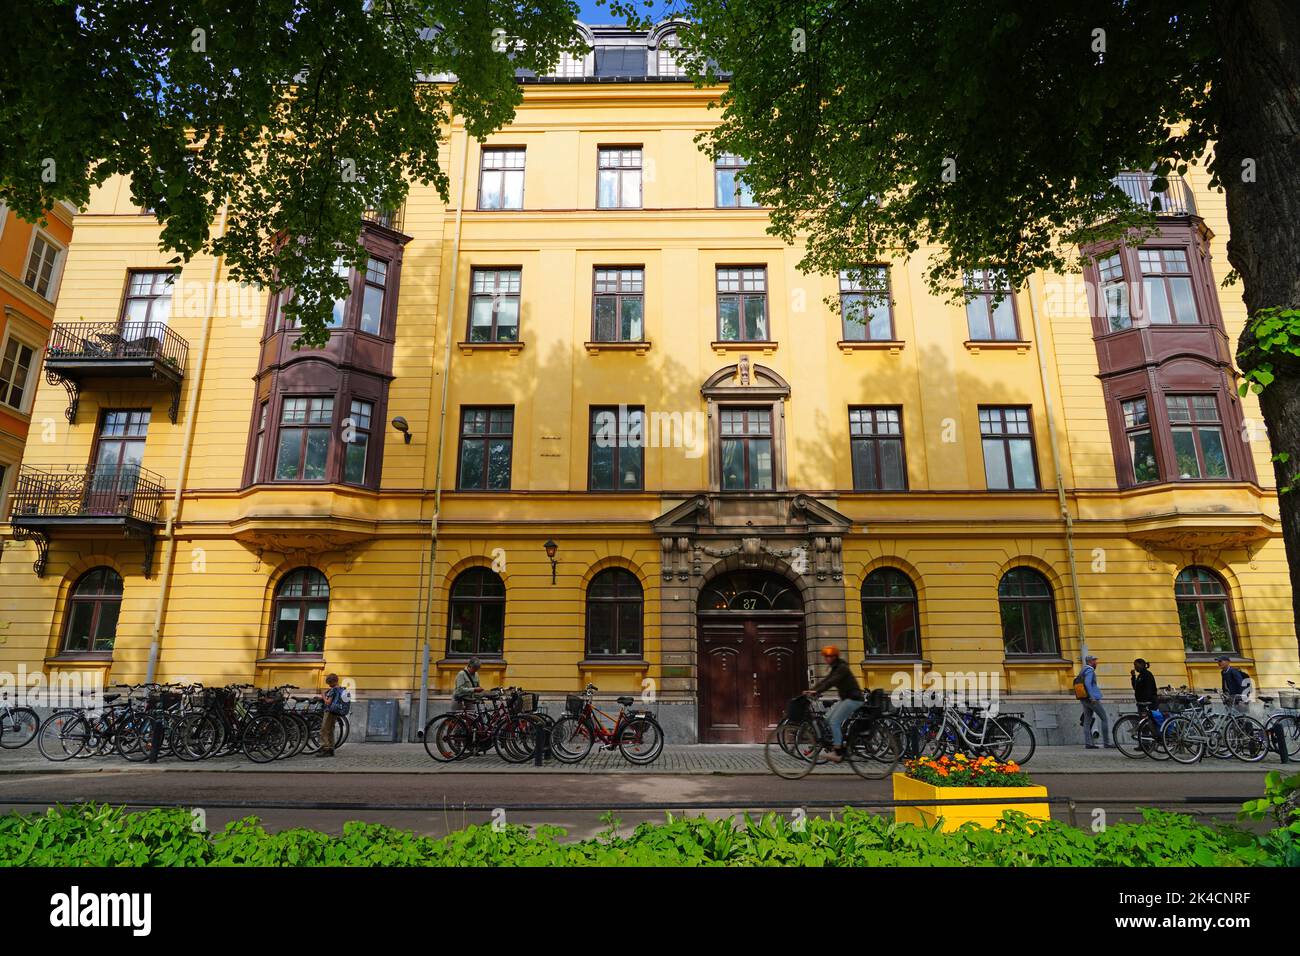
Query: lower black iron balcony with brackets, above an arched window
column 77, row 500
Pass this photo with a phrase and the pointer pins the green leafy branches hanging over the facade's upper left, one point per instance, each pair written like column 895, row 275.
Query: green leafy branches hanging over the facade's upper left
column 298, row 115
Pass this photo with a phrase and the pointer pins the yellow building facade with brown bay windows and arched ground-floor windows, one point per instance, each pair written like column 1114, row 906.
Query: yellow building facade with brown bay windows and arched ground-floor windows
column 596, row 347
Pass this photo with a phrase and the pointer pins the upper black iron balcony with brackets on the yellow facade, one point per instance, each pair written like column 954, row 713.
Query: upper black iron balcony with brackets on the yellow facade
column 146, row 352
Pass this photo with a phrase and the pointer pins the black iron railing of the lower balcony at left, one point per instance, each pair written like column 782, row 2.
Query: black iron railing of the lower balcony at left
column 79, row 491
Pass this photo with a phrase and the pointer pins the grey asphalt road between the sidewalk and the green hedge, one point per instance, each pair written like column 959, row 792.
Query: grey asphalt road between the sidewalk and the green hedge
column 435, row 804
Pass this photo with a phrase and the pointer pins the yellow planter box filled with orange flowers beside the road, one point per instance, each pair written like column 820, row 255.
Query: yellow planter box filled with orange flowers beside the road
column 970, row 778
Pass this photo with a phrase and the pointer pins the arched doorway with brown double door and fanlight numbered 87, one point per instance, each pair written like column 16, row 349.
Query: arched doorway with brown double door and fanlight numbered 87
column 751, row 655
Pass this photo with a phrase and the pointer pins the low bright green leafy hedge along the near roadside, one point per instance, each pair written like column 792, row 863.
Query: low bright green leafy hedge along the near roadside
column 97, row 836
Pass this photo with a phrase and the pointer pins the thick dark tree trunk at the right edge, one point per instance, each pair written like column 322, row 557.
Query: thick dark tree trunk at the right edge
column 1256, row 101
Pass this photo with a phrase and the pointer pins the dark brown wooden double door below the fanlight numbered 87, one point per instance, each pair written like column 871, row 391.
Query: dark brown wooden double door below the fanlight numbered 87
column 749, row 669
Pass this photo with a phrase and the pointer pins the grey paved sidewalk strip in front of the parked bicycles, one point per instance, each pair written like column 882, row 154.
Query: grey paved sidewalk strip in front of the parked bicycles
column 677, row 759
